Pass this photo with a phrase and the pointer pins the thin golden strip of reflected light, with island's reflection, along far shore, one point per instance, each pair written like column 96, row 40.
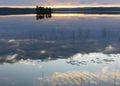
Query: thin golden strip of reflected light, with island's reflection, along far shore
column 47, row 16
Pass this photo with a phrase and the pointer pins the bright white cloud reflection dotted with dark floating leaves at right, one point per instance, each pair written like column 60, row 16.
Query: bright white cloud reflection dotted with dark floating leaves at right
column 94, row 58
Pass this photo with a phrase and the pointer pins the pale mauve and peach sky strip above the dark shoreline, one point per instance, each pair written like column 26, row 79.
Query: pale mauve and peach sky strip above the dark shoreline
column 57, row 2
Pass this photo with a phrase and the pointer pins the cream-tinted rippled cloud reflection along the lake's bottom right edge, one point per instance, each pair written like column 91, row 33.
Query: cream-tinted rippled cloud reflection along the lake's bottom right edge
column 82, row 78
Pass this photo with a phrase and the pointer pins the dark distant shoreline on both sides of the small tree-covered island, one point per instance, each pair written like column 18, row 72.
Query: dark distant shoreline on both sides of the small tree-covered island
column 83, row 10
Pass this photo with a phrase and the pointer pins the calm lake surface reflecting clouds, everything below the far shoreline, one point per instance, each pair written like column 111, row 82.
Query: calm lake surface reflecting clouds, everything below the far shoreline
column 60, row 50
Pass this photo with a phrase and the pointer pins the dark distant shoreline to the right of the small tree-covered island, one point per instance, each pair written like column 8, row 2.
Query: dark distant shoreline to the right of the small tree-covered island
column 89, row 10
